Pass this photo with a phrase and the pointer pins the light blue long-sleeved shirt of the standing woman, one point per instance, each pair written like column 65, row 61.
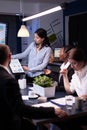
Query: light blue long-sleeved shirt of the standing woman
column 37, row 61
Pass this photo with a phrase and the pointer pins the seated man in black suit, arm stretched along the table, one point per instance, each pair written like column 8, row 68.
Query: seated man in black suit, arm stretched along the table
column 12, row 108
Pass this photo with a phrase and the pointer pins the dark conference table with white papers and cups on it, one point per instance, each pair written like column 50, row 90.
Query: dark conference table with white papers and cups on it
column 73, row 113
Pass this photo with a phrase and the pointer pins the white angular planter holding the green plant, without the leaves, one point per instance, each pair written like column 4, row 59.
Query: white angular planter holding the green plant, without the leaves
column 46, row 92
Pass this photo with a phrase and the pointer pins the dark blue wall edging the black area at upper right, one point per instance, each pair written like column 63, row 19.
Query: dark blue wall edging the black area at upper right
column 74, row 8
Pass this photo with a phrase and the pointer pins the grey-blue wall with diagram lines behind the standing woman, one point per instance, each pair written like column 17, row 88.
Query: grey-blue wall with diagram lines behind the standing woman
column 53, row 23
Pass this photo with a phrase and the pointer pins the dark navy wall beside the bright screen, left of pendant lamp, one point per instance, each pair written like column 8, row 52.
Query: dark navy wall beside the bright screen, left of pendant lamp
column 12, row 28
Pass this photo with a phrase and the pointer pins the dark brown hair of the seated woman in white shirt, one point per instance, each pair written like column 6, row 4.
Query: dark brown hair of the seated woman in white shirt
column 77, row 54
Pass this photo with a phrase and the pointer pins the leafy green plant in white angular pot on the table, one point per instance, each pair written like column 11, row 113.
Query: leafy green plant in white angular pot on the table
column 44, row 86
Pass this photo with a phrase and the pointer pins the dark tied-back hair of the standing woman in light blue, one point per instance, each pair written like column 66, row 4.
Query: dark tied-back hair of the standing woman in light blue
column 43, row 34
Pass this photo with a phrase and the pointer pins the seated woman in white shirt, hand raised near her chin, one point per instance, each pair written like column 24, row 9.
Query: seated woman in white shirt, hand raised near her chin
column 78, row 83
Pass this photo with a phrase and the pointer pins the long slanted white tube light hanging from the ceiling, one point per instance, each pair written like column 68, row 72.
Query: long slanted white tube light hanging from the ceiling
column 43, row 13
